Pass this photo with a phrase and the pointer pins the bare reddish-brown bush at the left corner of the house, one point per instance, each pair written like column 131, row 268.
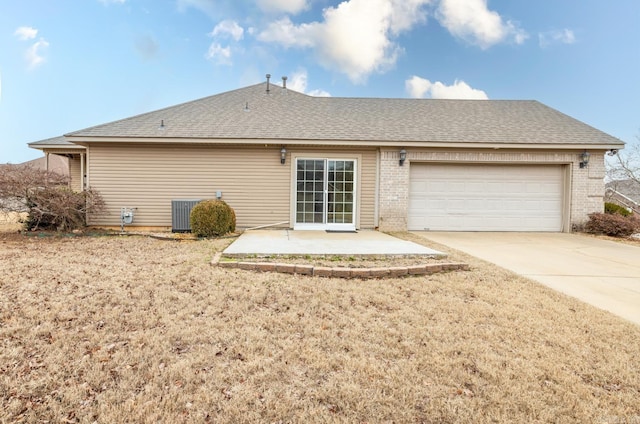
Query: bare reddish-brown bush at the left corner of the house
column 46, row 197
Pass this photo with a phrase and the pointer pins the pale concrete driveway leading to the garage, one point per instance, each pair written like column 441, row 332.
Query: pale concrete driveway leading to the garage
column 603, row 273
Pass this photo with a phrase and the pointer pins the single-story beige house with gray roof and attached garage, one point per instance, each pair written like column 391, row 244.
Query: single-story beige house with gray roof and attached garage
column 285, row 159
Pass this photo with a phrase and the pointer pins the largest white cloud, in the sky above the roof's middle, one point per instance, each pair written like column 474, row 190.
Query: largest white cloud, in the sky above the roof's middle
column 355, row 37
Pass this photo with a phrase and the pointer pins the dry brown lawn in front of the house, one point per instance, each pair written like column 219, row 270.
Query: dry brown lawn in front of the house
column 134, row 329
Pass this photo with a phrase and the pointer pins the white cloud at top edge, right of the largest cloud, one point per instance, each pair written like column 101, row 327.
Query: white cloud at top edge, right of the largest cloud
column 472, row 21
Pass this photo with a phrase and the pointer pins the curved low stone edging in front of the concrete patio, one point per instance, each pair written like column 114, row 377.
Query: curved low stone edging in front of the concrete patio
column 340, row 272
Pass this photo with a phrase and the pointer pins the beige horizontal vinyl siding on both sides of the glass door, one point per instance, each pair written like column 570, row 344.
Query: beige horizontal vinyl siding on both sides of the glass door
column 148, row 177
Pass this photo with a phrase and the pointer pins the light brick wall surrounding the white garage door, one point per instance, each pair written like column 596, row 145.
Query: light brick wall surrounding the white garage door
column 584, row 186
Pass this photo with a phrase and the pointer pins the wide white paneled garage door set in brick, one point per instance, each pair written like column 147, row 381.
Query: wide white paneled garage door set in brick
column 457, row 197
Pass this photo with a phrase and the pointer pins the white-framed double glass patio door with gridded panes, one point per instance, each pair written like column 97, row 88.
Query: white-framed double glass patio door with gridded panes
column 325, row 194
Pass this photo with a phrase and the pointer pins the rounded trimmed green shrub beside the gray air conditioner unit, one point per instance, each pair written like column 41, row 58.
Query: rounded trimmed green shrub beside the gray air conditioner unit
column 212, row 218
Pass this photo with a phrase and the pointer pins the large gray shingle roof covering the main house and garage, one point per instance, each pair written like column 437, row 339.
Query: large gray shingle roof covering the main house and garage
column 295, row 116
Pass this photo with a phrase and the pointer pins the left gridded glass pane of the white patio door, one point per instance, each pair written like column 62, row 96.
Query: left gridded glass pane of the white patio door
column 310, row 188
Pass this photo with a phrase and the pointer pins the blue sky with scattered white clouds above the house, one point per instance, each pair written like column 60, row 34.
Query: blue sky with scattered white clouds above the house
column 68, row 64
